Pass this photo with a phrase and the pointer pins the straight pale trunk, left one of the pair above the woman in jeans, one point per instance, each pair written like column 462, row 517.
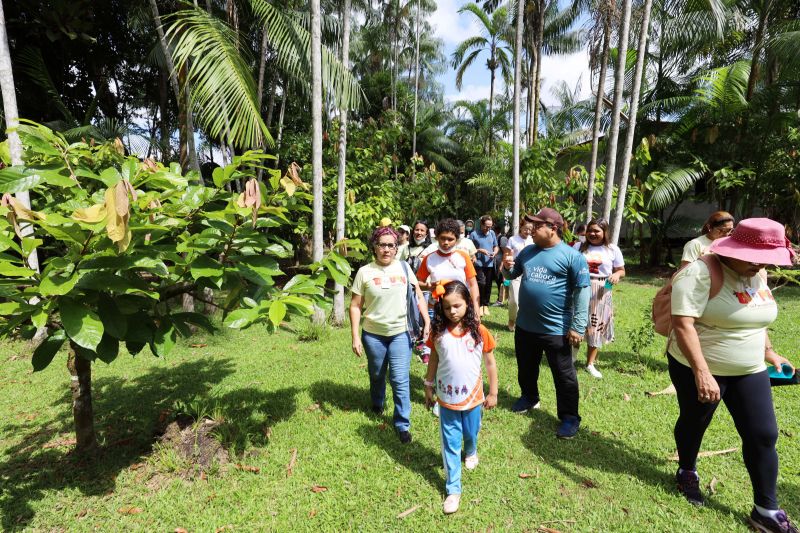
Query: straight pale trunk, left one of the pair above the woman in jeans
column 316, row 128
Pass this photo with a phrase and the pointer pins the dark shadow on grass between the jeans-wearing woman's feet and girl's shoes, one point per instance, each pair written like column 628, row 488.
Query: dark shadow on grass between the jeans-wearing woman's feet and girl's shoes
column 414, row 456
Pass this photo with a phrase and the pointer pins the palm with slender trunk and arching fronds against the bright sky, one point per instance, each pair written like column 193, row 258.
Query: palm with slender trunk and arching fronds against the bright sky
column 494, row 32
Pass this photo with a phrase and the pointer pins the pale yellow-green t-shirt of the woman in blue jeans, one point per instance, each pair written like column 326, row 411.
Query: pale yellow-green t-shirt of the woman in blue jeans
column 384, row 292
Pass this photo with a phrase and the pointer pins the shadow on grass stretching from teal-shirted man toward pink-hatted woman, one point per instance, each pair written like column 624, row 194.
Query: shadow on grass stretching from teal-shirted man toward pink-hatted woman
column 589, row 449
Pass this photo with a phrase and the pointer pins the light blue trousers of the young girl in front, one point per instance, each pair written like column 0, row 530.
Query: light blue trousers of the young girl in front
column 456, row 426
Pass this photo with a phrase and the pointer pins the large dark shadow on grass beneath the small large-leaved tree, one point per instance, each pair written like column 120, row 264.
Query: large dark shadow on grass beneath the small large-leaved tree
column 127, row 413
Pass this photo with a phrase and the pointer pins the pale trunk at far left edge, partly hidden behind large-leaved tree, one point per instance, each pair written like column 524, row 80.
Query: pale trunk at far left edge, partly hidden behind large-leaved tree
column 8, row 90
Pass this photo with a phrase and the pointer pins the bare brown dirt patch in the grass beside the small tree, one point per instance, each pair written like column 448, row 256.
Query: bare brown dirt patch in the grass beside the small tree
column 195, row 442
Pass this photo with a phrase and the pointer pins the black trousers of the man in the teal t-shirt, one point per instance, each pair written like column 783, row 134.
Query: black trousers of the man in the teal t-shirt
column 529, row 348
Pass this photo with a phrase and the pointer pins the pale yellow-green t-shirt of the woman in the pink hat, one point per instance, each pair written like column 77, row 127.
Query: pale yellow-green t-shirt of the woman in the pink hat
column 732, row 326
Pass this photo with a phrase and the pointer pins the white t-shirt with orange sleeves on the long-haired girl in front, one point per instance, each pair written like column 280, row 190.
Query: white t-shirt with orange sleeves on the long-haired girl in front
column 459, row 382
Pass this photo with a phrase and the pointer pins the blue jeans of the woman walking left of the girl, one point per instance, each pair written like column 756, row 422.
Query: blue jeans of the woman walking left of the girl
column 392, row 354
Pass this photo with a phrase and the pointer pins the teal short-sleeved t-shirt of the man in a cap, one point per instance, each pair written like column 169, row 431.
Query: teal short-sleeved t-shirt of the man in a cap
column 549, row 277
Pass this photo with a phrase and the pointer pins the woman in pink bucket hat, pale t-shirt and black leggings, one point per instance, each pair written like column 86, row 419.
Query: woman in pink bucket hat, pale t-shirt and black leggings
column 717, row 352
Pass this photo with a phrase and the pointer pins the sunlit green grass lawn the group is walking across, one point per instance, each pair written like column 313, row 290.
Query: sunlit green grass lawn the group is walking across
column 277, row 394
